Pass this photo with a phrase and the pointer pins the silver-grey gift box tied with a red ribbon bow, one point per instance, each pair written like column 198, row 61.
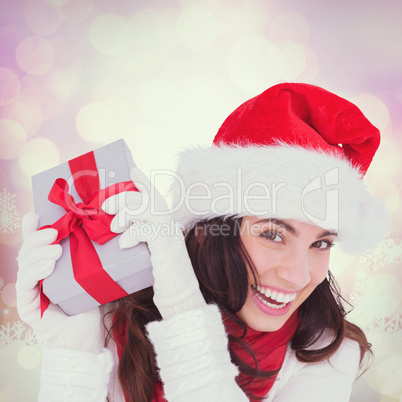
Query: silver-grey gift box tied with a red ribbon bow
column 92, row 270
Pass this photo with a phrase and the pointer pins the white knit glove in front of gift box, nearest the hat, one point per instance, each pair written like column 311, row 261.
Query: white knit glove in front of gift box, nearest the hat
column 144, row 217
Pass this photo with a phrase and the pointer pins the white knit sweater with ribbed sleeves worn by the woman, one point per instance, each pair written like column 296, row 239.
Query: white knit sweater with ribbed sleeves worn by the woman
column 195, row 366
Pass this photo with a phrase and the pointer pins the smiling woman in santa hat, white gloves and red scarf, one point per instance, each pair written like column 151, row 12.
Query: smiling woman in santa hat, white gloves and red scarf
column 261, row 210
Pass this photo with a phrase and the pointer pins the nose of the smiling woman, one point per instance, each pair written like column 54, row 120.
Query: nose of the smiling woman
column 294, row 268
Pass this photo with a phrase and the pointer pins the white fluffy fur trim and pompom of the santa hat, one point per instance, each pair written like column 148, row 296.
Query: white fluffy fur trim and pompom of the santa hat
column 283, row 182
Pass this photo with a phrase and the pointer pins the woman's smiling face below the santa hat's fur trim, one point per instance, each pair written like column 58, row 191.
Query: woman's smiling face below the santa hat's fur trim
column 291, row 258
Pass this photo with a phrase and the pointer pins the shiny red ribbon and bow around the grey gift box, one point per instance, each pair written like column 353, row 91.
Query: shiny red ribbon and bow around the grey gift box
column 83, row 222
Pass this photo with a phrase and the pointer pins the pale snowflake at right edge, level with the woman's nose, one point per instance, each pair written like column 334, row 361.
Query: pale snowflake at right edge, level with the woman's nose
column 387, row 252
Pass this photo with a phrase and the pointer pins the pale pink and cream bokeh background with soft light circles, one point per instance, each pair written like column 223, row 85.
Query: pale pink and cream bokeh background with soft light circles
column 163, row 75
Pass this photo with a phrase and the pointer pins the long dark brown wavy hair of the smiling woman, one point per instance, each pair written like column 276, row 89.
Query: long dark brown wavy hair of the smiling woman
column 221, row 264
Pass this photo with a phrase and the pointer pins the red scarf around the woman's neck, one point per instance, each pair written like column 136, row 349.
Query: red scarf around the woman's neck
column 269, row 349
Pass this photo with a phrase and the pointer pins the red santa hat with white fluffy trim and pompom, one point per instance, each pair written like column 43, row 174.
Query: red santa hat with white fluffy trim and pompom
column 296, row 151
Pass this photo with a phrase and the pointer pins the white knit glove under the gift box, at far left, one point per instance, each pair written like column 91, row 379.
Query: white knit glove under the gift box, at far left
column 36, row 261
